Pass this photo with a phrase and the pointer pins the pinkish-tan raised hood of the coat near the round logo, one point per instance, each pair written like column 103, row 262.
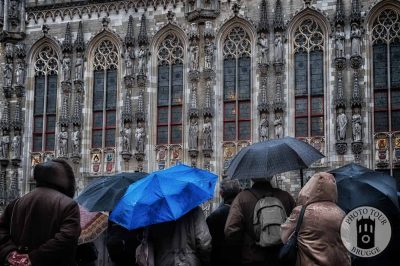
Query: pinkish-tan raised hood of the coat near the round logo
column 320, row 187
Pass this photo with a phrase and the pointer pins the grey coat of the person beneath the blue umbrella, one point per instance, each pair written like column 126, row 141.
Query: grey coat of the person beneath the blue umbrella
column 185, row 241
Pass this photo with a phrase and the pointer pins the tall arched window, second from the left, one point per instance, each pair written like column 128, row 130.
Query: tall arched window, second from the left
column 104, row 95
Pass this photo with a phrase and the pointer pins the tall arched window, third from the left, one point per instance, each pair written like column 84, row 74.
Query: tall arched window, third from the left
column 170, row 91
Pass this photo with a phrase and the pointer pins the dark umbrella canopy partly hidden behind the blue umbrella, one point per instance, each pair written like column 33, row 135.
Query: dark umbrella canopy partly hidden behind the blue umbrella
column 104, row 192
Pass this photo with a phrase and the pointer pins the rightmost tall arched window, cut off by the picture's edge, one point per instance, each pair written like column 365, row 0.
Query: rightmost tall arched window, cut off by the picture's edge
column 386, row 68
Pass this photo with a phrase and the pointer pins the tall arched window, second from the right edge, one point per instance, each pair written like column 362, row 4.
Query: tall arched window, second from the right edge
column 309, row 80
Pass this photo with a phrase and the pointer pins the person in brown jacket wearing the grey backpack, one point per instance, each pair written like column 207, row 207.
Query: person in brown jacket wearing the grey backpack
column 239, row 225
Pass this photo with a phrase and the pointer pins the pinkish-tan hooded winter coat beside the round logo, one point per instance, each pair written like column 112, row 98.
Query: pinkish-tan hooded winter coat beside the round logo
column 319, row 238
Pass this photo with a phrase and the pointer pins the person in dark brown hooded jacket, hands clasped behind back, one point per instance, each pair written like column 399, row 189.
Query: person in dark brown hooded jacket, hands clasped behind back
column 43, row 226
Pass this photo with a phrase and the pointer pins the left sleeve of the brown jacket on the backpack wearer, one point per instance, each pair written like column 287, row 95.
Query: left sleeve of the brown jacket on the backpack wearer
column 234, row 226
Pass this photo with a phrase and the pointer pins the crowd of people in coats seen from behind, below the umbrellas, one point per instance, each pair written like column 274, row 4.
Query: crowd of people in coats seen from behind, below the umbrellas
column 42, row 228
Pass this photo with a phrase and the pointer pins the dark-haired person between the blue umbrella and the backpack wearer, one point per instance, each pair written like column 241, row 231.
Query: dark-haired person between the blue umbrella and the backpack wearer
column 224, row 253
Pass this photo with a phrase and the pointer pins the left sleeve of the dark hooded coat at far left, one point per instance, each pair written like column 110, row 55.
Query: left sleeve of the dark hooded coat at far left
column 6, row 243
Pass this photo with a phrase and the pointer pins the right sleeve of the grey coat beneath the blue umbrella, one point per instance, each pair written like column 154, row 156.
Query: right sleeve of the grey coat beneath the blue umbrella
column 203, row 238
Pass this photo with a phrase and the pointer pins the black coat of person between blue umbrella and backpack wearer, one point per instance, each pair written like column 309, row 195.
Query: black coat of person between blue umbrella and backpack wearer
column 223, row 253
